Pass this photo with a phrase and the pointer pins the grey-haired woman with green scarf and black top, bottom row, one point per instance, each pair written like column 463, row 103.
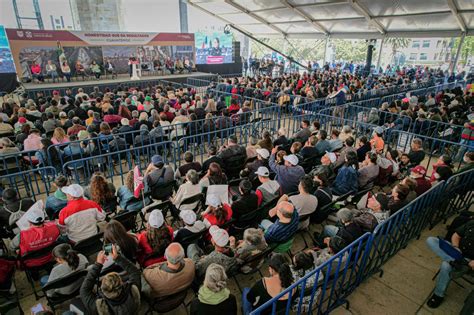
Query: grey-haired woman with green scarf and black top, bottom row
column 214, row 297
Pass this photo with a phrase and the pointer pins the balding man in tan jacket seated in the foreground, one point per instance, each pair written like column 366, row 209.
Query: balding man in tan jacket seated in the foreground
column 171, row 276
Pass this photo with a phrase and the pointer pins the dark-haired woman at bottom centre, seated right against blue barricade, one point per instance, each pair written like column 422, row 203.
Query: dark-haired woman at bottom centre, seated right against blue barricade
column 267, row 288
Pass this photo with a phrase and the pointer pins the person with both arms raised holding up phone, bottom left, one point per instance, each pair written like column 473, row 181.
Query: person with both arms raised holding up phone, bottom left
column 114, row 296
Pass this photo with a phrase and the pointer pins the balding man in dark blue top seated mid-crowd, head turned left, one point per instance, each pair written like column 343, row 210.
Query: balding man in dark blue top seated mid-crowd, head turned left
column 285, row 226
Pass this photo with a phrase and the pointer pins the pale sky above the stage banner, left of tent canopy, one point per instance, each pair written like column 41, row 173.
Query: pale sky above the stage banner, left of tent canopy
column 139, row 15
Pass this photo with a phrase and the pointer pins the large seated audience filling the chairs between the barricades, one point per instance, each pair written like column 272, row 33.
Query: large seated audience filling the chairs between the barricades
column 203, row 237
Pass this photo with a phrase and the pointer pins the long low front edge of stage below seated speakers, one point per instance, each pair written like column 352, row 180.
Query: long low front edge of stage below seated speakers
column 124, row 79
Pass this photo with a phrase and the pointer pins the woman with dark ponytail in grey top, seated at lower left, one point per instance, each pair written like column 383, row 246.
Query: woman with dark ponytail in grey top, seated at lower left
column 68, row 261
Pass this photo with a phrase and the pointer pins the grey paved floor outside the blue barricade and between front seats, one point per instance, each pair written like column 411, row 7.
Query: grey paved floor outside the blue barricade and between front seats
column 404, row 287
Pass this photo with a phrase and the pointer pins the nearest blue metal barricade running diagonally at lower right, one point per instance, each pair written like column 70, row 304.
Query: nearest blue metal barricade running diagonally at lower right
column 375, row 249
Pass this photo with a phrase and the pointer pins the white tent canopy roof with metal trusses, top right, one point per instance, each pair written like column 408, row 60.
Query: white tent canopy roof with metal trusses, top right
column 363, row 19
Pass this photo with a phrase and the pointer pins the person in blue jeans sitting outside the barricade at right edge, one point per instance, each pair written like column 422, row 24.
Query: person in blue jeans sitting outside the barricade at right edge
column 457, row 259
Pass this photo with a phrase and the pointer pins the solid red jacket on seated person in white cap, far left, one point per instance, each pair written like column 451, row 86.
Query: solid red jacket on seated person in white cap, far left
column 36, row 238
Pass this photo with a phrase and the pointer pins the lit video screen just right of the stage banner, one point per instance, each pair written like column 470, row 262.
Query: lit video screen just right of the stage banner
column 213, row 48
